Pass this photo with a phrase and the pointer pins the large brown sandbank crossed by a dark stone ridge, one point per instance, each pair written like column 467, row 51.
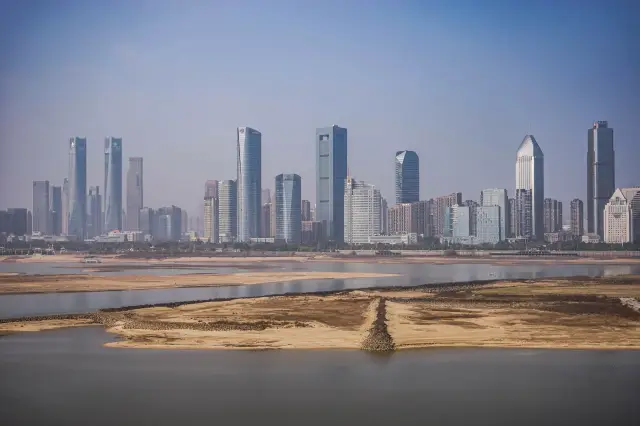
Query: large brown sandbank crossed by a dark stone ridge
column 562, row 313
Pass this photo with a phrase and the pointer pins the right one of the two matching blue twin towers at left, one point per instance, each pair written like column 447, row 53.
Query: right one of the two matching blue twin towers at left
column 112, row 184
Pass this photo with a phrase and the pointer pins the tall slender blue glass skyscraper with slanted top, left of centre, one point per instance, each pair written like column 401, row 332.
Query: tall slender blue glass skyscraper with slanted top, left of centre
column 249, row 184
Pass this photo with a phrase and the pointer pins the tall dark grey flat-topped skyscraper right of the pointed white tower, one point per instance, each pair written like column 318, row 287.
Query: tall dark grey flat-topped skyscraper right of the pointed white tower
column 601, row 181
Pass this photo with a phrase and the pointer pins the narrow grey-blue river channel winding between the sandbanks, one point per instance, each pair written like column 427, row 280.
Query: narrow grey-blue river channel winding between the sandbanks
column 12, row 306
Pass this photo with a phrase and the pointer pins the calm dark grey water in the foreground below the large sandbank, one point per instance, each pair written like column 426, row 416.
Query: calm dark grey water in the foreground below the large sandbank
column 66, row 377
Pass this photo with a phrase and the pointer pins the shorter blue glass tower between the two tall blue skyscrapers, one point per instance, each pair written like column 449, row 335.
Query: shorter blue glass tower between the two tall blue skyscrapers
column 288, row 208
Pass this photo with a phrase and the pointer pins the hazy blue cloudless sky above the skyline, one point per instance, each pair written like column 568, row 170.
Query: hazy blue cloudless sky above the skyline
column 460, row 82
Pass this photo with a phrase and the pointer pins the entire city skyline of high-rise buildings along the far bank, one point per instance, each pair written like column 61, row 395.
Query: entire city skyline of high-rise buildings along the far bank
column 347, row 210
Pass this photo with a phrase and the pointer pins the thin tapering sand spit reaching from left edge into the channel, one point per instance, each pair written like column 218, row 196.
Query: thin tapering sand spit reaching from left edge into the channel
column 14, row 284
